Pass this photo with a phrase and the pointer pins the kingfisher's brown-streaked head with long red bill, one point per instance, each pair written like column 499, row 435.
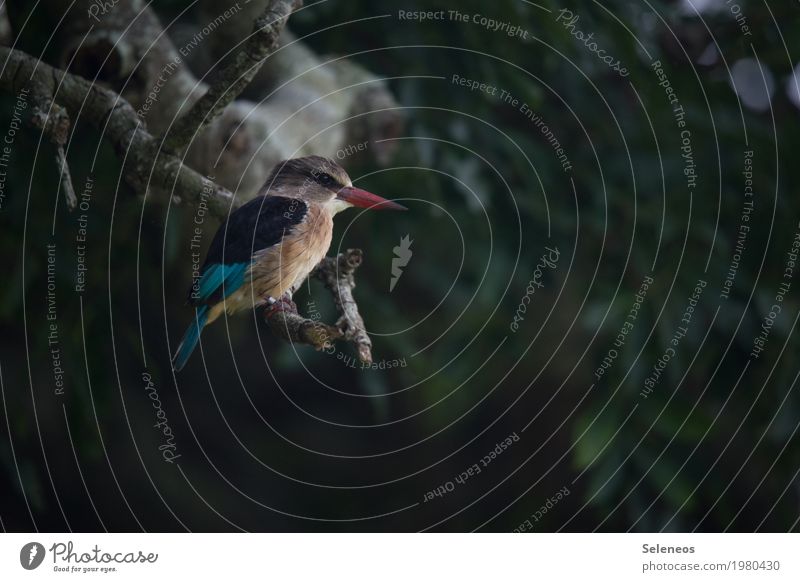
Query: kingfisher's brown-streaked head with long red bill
column 322, row 181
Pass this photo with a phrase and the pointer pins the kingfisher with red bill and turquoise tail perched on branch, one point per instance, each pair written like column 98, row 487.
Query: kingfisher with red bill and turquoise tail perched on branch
column 269, row 245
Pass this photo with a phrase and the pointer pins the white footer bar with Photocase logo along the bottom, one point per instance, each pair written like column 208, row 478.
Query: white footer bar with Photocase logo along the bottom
column 399, row 557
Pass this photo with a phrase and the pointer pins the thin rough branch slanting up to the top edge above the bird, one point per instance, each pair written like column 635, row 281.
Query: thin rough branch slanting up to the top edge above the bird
column 228, row 84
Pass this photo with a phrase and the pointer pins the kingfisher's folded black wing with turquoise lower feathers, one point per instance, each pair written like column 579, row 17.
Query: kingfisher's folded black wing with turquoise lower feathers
column 257, row 225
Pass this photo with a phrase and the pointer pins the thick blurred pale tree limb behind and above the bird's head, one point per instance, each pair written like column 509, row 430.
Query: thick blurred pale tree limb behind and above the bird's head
column 326, row 108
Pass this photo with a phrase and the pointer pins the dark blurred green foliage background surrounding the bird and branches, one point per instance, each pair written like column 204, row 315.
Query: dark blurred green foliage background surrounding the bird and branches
column 276, row 438
